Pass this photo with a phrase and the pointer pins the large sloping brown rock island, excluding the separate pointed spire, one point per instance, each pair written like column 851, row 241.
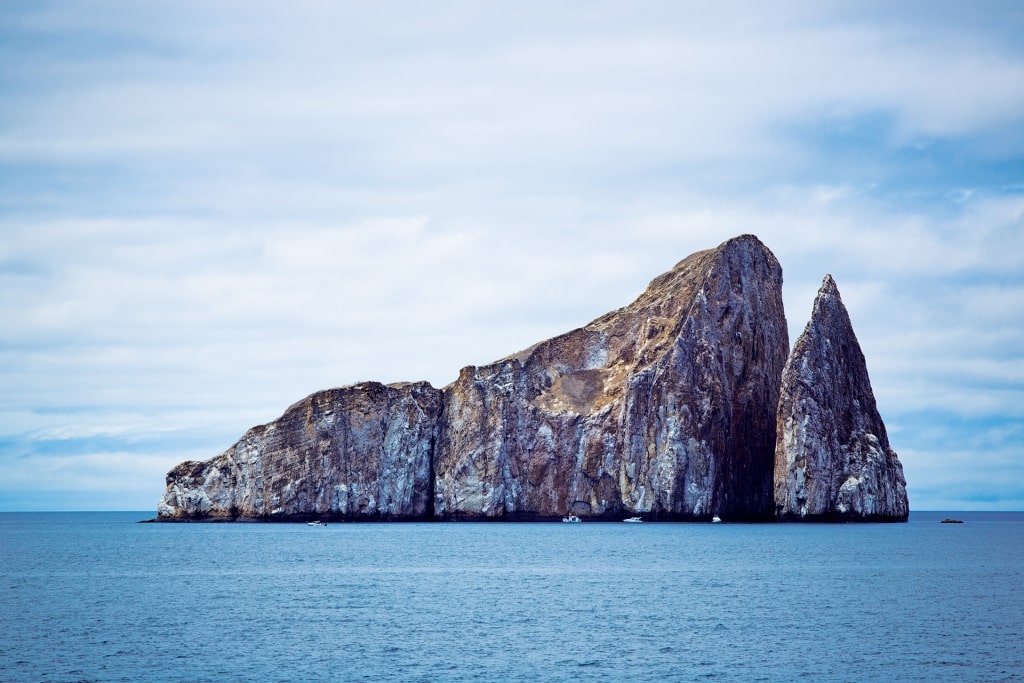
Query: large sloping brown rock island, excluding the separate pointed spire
column 666, row 408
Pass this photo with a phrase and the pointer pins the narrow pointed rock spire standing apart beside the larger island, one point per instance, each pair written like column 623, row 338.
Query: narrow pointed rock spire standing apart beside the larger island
column 833, row 459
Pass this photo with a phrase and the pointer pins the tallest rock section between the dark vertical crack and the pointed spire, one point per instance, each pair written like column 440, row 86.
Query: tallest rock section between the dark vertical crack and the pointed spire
column 666, row 407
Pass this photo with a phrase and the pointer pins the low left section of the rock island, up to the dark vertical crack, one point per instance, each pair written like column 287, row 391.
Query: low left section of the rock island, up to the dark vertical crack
column 360, row 452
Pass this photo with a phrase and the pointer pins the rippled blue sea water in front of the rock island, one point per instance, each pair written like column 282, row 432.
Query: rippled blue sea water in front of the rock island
column 97, row 597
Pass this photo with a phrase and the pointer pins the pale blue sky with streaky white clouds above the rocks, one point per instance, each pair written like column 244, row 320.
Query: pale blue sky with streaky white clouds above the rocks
column 209, row 210
